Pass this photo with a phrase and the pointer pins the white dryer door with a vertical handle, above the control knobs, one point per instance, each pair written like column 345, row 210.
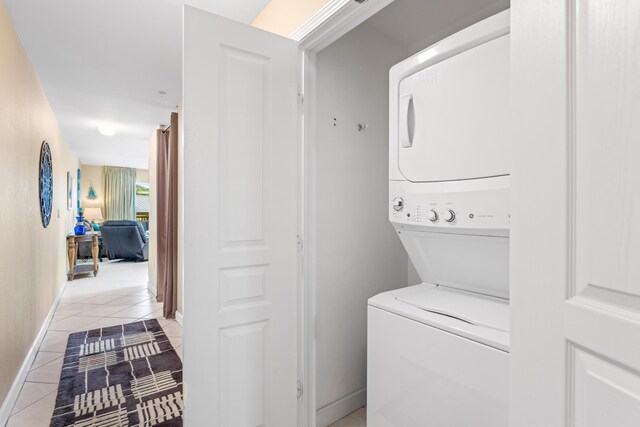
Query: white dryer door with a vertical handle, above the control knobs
column 453, row 116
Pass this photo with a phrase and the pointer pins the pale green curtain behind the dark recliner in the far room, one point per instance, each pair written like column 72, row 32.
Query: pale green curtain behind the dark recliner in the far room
column 119, row 193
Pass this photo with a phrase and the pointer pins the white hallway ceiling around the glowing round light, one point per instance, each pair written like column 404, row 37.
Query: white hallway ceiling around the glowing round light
column 105, row 61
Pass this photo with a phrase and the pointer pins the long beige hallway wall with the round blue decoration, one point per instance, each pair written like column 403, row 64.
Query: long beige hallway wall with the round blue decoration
column 33, row 263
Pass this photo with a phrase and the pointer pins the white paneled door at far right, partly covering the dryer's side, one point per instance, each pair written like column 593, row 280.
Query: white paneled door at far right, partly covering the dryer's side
column 576, row 213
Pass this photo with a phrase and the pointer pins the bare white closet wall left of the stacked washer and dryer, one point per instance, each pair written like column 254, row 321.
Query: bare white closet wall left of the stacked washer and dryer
column 358, row 252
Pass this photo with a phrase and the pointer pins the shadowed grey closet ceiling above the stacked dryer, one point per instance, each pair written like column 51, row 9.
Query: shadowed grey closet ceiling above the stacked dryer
column 419, row 23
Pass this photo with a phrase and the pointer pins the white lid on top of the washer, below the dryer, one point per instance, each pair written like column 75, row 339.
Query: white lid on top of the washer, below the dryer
column 475, row 309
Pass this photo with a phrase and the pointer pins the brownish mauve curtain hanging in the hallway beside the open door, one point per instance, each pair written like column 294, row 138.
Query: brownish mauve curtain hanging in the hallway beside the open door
column 167, row 211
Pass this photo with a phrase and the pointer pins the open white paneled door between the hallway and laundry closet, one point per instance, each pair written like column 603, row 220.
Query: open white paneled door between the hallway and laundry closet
column 240, row 111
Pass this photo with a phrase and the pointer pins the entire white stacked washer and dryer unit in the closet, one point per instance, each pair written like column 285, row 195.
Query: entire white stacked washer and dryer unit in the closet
column 438, row 352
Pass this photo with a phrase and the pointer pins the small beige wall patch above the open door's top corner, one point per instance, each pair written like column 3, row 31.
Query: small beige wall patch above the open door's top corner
column 286, row 16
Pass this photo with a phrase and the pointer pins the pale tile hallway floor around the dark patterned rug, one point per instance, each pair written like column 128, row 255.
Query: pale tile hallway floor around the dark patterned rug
column 117, row 295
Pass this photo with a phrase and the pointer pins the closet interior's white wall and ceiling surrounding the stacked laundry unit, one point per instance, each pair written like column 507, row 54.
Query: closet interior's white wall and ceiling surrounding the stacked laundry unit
column 354, row 252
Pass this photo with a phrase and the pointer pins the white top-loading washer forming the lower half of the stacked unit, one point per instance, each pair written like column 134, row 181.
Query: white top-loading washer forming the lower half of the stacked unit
column 428, row 369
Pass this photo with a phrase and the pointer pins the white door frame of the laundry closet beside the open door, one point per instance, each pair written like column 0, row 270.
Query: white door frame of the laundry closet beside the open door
column 333, row 21
